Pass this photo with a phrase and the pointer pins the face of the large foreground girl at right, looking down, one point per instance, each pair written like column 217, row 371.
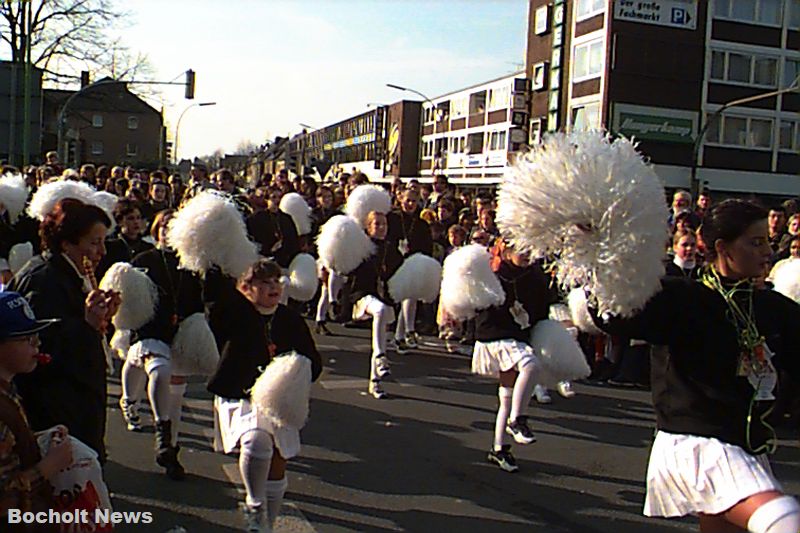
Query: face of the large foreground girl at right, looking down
column 747, row 256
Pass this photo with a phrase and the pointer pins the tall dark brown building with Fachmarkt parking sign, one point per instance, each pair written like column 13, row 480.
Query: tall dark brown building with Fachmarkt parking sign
column 662, row 71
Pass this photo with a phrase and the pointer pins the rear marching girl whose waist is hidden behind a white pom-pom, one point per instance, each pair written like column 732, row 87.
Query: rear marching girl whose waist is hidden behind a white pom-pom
column 409, row 234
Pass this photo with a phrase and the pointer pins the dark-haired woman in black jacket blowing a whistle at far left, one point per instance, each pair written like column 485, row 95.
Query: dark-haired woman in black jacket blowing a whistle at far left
column 71, row 390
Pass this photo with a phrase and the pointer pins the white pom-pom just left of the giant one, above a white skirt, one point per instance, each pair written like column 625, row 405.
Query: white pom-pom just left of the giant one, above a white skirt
column 468, row 283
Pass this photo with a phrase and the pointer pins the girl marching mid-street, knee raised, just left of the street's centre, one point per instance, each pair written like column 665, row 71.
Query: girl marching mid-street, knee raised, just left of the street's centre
column 369, row 295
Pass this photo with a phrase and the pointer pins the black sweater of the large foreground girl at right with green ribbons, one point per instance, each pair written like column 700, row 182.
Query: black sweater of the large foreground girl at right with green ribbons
column 695, row 387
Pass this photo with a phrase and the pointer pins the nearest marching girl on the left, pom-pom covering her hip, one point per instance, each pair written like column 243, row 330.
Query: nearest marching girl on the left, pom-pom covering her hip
column 251, row 328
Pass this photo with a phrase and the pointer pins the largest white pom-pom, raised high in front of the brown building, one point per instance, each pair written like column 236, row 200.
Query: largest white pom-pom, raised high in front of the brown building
column 598, row 208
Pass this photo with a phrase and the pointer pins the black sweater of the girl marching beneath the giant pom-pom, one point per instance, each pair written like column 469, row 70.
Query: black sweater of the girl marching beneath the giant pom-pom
column 530, row 287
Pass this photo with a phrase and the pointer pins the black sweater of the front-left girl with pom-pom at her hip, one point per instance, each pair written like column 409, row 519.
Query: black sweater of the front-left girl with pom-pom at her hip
column 241, row 335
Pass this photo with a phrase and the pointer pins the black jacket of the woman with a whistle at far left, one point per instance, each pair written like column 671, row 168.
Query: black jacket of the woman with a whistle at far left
column 71, row 390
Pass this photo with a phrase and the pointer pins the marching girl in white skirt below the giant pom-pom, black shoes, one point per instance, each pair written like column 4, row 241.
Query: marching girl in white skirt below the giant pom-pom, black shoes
column 501, row 349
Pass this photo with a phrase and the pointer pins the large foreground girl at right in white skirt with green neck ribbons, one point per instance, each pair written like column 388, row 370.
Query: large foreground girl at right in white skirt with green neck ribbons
column 714, row 381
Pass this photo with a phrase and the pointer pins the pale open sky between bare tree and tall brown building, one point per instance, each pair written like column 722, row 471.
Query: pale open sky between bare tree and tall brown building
column 271, row 64
